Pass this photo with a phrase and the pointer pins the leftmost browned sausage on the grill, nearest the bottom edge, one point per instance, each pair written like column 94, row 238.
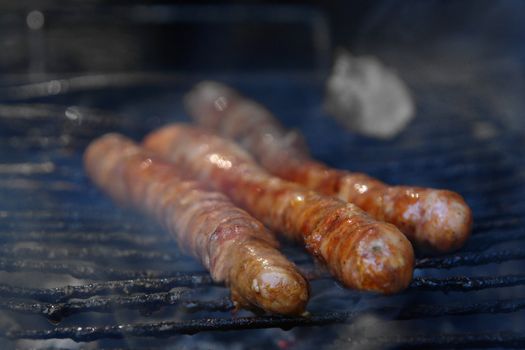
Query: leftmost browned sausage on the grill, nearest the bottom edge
column 236, row 248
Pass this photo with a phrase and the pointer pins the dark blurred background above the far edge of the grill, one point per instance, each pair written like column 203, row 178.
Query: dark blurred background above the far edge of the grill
column 477, row 44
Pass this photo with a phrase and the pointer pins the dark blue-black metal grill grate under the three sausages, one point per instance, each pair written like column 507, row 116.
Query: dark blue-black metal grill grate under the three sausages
column 78, row 271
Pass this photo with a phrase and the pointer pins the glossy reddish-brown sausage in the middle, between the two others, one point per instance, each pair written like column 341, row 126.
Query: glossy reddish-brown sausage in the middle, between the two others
column 362, row 253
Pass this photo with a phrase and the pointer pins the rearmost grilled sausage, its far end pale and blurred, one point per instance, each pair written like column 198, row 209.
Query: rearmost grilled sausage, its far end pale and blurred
column 435, row 221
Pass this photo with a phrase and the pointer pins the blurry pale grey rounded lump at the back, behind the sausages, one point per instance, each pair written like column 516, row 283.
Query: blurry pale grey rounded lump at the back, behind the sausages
column 368, row 97
